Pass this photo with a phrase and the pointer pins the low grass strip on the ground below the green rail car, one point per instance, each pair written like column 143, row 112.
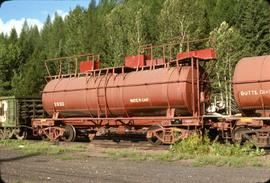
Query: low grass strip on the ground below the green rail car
column 41, row 147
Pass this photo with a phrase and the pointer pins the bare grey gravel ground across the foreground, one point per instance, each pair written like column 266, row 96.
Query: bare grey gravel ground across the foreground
column 16, row 167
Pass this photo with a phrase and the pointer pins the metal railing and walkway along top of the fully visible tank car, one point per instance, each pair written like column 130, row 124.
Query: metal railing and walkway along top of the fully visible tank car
column 154, row 56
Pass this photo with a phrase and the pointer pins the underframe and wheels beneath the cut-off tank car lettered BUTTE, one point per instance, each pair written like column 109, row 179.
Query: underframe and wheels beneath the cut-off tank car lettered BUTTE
column 241, row 129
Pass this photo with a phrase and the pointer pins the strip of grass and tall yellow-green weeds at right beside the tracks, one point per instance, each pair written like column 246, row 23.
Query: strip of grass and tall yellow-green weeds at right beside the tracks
column 200, row 153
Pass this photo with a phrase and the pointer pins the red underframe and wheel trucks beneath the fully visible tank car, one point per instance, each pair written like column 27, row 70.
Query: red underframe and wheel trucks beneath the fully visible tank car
column 167, row 130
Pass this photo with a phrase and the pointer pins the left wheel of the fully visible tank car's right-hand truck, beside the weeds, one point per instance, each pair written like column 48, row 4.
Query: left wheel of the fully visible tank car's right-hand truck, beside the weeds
column 152, row 134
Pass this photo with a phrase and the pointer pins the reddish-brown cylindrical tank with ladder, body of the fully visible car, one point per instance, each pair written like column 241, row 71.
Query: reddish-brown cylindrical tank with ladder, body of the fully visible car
column 141, row 93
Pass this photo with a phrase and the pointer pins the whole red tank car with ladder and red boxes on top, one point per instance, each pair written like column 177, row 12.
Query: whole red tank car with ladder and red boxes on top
column 160, row 92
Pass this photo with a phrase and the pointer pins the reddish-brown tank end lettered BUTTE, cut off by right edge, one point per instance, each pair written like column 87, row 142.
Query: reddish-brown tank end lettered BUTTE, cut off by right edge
column 251, row 83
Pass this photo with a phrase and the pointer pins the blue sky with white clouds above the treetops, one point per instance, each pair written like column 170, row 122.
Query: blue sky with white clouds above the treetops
column 13, row 13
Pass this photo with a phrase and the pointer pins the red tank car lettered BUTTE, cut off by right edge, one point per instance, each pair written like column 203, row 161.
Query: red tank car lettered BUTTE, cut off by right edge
column 251, row 88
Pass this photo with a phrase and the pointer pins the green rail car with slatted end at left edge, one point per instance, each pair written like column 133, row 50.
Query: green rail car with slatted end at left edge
column 16, row 114
